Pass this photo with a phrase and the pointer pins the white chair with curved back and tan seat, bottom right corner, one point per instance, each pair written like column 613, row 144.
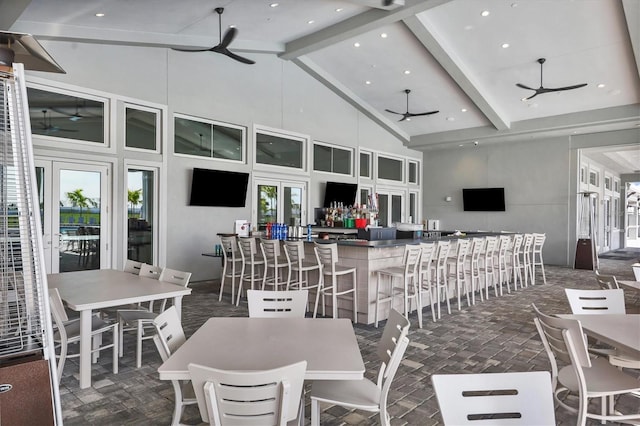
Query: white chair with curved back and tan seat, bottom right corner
column 582, row 377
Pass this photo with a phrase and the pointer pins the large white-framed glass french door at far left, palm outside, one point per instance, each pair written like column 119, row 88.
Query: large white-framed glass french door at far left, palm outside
column 73, row 202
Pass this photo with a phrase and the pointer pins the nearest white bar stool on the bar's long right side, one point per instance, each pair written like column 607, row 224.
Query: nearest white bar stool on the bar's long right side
column 409, row 289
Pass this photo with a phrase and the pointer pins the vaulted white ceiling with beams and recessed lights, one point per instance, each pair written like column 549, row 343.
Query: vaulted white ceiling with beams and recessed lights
column 451, row 54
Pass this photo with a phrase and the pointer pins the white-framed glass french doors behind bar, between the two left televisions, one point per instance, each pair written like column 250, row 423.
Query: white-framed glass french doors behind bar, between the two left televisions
column 279, row 202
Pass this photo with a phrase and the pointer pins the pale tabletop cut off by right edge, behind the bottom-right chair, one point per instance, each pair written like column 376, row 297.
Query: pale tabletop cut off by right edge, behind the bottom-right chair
column 620, row 331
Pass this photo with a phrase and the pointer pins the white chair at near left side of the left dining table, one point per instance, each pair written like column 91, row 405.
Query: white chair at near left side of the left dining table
column 67, row 332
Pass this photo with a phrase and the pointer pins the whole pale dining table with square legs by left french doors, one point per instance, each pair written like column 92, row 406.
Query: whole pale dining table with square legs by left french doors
column 86, row 291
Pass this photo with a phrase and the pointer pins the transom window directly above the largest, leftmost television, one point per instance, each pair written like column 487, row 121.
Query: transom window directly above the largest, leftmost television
column 206, row 138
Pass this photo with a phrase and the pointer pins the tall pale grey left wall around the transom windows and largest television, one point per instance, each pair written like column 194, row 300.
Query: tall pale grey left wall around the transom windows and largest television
column 272, row 93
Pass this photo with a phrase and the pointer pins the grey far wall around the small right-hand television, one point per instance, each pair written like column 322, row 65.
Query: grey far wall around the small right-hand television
column 534, row 173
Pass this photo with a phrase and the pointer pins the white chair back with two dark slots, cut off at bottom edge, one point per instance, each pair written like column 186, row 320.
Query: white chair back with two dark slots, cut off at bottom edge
column 515, row 398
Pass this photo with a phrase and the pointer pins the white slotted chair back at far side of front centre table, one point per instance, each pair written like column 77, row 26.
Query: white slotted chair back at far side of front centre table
column 277, row 304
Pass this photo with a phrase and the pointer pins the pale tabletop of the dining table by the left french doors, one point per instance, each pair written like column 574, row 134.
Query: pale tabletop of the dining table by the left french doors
column 104, row 288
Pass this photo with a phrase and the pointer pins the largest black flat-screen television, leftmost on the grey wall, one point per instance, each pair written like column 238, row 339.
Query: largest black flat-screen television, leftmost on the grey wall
column 218, row 188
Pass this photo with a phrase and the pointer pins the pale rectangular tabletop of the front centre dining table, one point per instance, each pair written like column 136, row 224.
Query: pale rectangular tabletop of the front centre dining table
column 328, row 345
